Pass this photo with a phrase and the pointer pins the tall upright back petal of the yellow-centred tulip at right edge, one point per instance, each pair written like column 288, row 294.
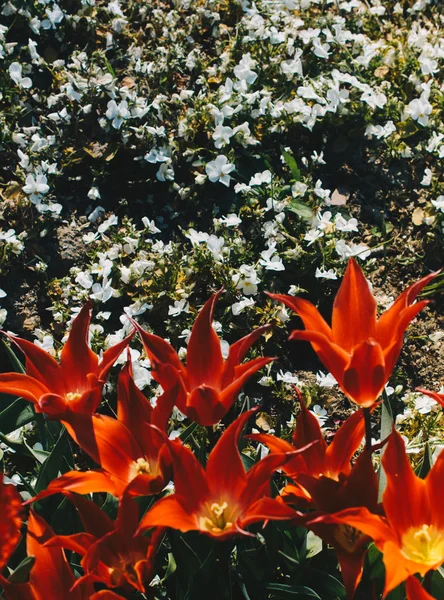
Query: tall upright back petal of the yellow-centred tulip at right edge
column 405, row 498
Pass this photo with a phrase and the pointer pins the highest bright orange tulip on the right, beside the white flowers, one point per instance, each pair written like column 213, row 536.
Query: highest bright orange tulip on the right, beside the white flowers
column 358, row 349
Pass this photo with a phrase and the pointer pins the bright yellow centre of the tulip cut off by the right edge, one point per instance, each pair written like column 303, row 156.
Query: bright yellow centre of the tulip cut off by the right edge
column 424, row 545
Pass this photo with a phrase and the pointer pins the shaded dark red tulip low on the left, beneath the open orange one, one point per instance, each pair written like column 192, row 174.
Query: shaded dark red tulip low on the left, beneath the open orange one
column 111, row 553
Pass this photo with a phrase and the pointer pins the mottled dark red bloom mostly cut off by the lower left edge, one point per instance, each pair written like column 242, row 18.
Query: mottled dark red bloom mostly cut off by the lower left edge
column 10, row 520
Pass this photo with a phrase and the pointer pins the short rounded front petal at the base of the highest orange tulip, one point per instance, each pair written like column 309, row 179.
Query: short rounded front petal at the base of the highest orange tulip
column 365, row 375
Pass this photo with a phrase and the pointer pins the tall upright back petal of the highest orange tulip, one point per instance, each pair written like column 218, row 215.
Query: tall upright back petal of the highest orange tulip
column 354, row 309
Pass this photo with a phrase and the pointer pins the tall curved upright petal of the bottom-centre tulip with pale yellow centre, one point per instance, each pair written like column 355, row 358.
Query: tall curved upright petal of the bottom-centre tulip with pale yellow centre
column 230, row 481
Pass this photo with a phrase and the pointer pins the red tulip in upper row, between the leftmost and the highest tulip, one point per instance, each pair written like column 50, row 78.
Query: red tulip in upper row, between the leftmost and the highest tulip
column 208, row 385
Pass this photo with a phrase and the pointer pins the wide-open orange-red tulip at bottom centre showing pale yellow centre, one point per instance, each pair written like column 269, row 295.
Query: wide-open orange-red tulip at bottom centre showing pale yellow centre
column 223, row 499
